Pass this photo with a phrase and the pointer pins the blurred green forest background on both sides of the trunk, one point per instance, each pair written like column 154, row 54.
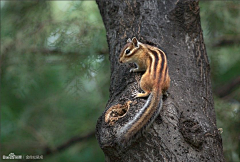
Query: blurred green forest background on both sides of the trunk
column 55, row 76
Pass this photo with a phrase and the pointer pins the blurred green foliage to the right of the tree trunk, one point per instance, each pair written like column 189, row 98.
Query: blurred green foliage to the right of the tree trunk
column 220, row 22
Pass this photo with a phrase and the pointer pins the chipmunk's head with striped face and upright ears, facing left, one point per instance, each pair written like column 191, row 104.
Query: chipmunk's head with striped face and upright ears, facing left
column 130, row 51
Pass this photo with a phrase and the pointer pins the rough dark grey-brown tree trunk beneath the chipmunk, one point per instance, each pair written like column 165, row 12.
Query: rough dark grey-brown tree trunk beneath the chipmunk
column 186, row 127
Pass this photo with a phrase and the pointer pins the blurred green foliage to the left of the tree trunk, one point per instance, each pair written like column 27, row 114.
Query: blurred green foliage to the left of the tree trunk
column 54, row 77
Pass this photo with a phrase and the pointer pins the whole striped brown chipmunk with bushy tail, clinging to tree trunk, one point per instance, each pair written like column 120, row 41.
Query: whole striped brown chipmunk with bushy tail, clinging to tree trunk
column 154, row 82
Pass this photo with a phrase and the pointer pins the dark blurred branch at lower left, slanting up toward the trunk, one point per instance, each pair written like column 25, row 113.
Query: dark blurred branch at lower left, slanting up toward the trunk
column 68, row 143
